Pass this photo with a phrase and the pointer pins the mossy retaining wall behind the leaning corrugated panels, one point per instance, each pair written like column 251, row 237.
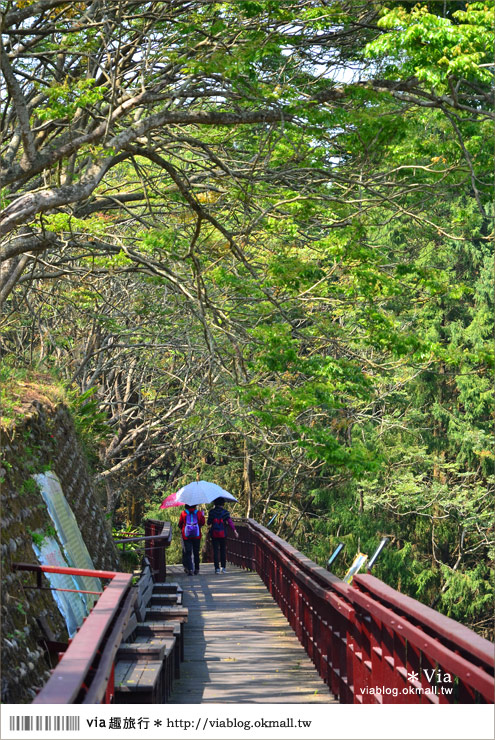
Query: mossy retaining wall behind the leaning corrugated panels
column 43, row 440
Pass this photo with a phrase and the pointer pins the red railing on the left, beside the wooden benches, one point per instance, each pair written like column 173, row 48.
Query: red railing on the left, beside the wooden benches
column 84, row 674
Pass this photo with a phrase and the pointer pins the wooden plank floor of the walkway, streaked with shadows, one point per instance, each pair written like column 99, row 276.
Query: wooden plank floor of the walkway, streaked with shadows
column 238, row 645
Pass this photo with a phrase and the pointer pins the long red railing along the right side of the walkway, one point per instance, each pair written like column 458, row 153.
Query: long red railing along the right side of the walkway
column 369, row 643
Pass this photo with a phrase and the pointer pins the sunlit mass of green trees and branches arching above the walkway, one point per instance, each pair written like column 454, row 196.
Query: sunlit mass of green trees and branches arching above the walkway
column 303, row 312
